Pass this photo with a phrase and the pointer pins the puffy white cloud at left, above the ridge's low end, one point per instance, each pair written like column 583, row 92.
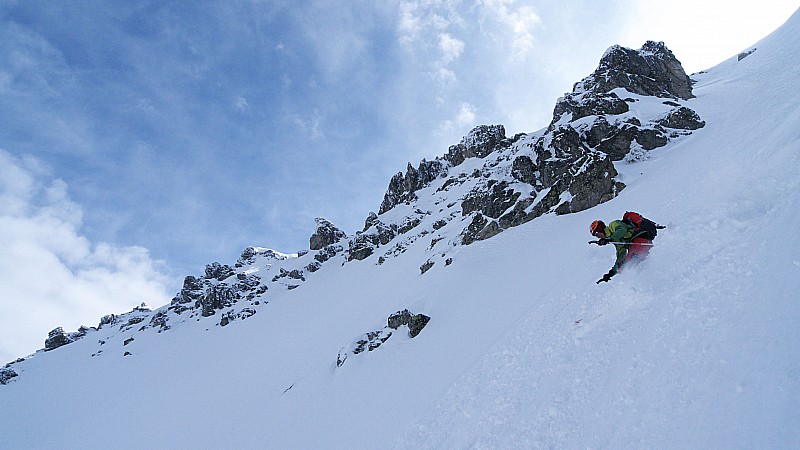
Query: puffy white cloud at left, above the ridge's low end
column 52, row 275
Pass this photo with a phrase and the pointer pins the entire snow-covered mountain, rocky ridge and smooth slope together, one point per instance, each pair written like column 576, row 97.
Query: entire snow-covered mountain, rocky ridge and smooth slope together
column 466, row 314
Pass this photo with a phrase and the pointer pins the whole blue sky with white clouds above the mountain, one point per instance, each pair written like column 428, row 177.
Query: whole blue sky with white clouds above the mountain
column 141, row 141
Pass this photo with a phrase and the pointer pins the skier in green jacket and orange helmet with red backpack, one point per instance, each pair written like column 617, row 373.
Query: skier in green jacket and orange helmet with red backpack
column 631, row 241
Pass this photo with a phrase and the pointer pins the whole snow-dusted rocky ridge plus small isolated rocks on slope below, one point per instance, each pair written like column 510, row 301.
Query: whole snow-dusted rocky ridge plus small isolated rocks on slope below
column 636, row 101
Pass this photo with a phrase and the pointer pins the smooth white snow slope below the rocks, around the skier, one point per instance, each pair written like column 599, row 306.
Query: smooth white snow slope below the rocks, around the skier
column 695, row 348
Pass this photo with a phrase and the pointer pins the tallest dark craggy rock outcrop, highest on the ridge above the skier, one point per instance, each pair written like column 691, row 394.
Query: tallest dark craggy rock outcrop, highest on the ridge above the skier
column 569, row 166
